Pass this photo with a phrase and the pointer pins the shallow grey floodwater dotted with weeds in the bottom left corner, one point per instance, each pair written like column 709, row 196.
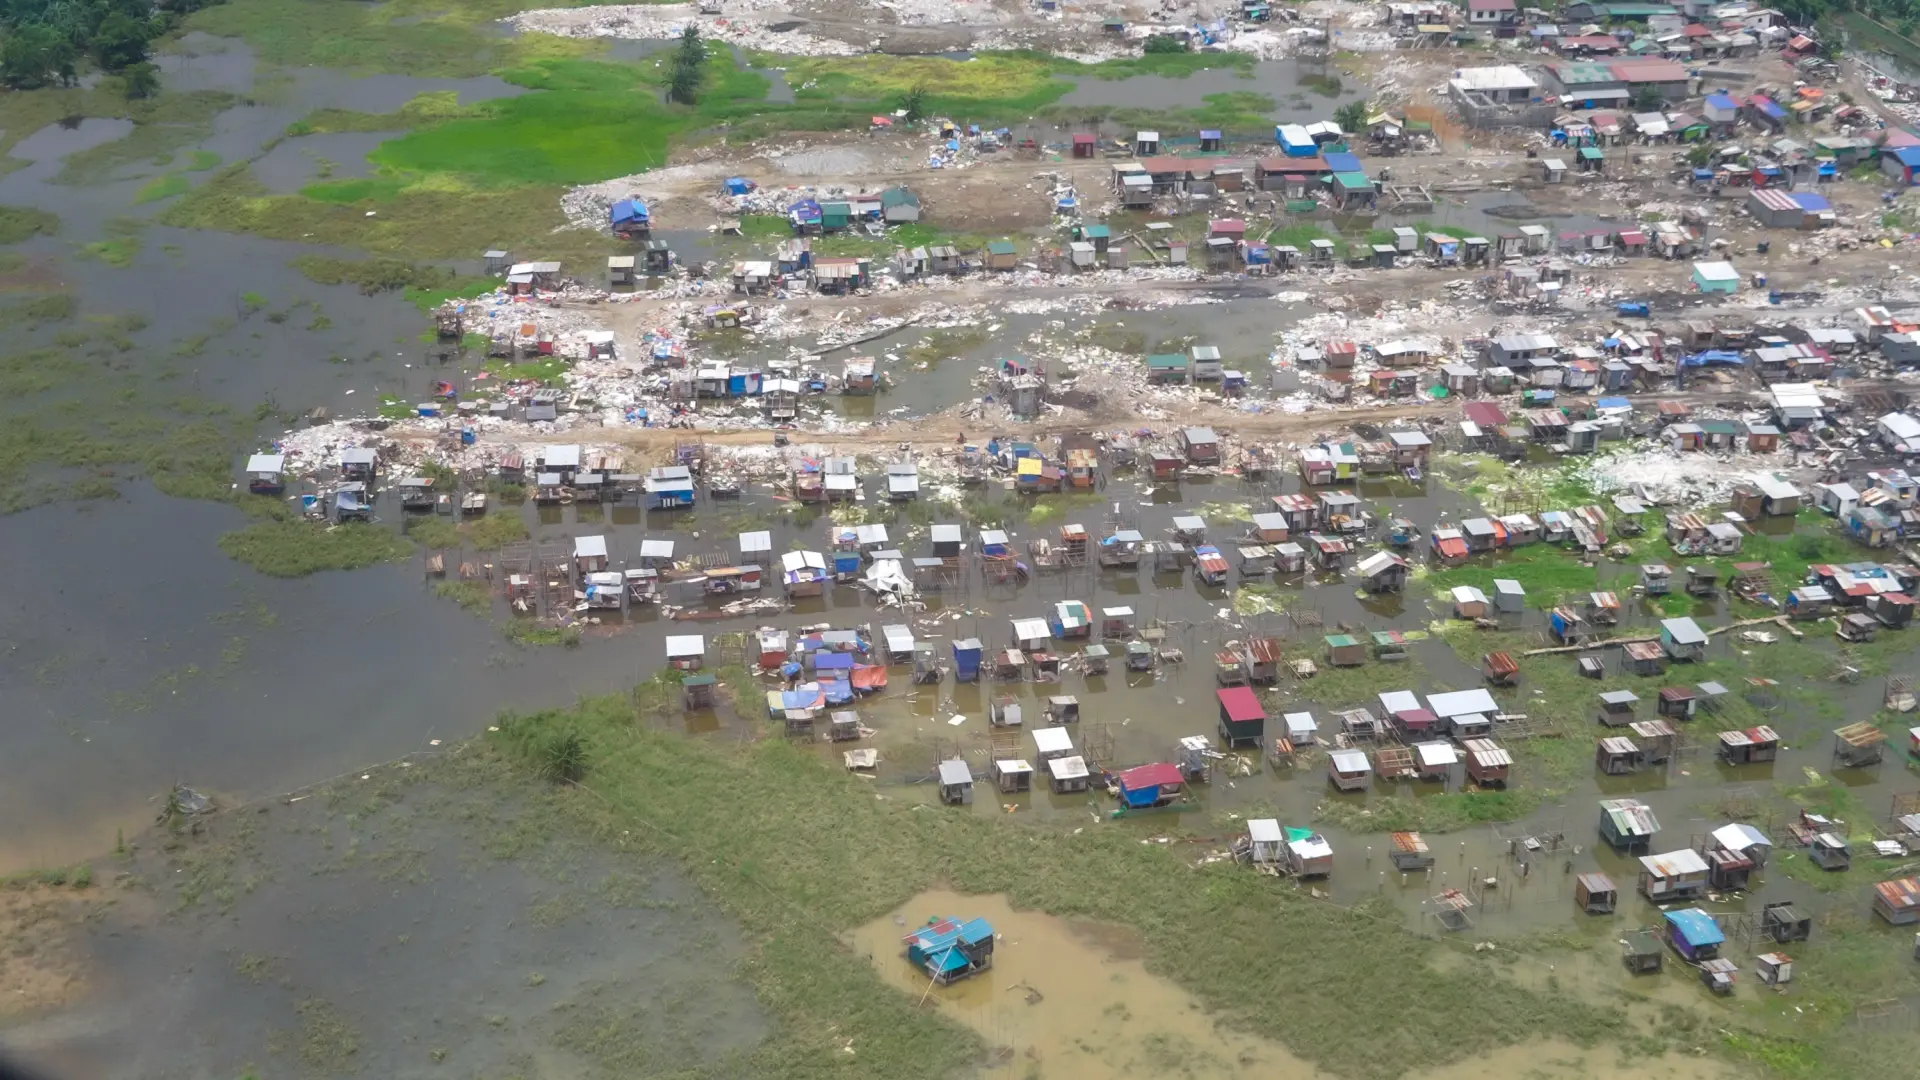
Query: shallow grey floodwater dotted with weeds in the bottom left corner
column 393, row 931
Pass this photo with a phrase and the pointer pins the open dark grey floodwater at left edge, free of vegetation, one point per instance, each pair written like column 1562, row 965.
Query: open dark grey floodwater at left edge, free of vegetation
column 133, row 670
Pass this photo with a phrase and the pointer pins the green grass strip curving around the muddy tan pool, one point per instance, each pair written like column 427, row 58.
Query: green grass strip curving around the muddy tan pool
column 1220, row 931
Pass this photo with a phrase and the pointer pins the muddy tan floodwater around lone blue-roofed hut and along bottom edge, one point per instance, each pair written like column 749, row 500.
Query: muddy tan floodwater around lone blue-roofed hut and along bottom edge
column 1070, row 1000
